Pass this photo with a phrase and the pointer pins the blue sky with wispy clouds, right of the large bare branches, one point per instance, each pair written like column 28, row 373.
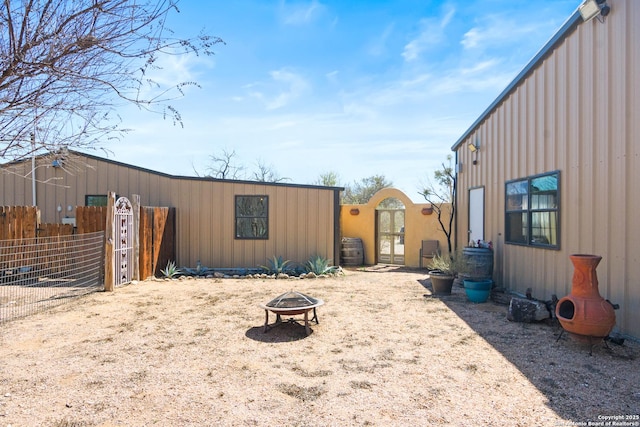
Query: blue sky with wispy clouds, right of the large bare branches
column 359, row 88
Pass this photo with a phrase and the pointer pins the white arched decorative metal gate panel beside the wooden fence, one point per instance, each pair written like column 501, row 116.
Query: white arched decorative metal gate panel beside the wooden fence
column 123, row 245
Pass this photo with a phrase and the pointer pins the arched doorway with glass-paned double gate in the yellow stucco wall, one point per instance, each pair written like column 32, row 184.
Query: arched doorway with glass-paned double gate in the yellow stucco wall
column 390, row 230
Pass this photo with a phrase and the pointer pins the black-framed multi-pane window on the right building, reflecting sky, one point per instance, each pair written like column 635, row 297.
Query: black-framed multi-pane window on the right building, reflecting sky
column 532, row 211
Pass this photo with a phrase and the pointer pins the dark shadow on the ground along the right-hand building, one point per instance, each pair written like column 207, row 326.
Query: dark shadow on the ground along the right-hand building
column 555, row 362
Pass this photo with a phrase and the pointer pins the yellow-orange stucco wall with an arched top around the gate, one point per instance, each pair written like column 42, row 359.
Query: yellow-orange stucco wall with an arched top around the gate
column 419, row 226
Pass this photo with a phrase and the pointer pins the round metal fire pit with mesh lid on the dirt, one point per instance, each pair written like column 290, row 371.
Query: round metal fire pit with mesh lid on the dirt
column 291, row 304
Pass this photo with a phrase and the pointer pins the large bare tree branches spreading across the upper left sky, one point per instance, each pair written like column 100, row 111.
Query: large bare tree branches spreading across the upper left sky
column 66, row 65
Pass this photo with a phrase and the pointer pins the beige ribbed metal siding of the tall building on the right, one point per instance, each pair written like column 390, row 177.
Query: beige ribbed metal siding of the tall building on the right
column 577, row 112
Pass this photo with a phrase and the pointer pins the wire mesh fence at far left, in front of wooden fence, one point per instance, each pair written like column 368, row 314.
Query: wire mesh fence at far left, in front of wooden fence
column 41, row 273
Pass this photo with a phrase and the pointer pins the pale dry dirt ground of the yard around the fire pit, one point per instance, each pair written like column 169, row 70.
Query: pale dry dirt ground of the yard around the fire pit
column 385, row 353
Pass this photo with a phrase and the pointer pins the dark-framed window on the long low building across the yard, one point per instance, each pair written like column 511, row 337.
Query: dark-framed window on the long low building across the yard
column 252, row 217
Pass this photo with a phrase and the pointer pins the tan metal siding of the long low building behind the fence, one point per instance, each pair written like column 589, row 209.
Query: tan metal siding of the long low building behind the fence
column 301, row 218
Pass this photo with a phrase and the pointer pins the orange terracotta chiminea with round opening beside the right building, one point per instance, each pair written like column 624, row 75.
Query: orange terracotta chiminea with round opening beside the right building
column 584, row 312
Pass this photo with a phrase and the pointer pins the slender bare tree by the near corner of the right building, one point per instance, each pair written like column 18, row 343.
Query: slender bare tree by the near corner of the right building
column 441, row 195
